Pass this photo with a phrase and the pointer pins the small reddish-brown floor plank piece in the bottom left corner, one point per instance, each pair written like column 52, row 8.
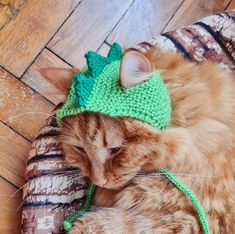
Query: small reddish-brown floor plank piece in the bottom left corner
column 10, row 220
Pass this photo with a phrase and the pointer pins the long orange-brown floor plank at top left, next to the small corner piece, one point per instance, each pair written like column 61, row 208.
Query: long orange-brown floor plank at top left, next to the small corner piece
column 27, row 33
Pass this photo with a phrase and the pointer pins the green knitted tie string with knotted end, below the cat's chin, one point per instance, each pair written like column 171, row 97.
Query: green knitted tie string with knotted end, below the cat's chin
column 67, row 224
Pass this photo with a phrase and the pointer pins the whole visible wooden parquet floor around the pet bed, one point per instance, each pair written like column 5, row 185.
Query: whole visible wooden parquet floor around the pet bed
column 57, row 33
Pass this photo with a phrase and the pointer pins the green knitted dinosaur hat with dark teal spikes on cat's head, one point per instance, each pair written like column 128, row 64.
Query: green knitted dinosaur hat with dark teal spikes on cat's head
column 97, row 89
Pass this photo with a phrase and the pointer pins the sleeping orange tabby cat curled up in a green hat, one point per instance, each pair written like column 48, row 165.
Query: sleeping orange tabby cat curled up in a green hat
column 123, row 155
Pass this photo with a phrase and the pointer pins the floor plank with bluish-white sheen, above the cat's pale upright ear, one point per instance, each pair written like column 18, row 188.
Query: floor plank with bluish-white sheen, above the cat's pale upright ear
column 144, row 20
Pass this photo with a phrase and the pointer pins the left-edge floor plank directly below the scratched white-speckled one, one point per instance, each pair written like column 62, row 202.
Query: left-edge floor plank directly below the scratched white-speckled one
column 13, row 155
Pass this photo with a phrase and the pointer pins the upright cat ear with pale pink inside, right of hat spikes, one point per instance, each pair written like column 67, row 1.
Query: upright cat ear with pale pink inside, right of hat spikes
column 135, row 68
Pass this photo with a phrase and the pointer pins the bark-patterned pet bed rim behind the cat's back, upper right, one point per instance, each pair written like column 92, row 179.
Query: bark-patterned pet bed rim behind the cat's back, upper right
column 211, row 38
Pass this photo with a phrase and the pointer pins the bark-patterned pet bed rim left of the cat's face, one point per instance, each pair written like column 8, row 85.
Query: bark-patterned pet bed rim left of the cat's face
column 52, row 189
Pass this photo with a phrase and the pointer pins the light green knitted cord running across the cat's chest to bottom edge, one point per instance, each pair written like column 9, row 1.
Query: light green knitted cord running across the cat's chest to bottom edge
column 191, row 196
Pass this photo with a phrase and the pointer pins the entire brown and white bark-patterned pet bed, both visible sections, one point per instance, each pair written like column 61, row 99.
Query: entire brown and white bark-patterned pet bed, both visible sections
column 53, row 190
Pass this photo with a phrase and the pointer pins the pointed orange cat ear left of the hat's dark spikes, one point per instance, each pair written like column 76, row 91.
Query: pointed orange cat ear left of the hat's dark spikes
column 61, row 78
